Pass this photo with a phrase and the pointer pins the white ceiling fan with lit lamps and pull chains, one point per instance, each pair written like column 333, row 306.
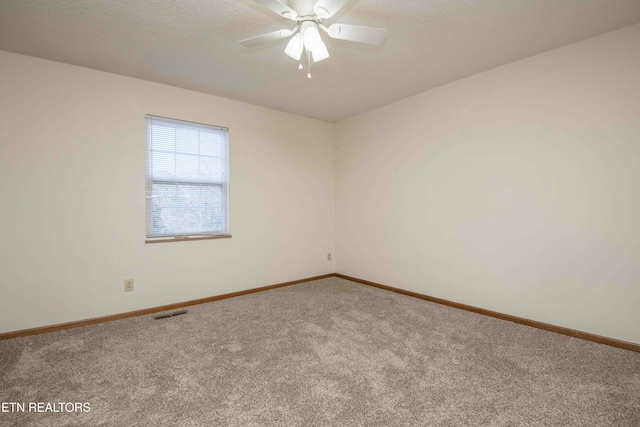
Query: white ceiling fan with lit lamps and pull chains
column 305, row 36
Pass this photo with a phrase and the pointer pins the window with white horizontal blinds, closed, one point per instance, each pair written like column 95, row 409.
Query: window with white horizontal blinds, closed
column 187, row 179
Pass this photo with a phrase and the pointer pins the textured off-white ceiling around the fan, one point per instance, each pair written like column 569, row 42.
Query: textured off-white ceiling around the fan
column 193, row 44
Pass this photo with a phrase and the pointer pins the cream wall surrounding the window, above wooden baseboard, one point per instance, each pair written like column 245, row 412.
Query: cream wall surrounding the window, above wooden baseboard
column 72, row 179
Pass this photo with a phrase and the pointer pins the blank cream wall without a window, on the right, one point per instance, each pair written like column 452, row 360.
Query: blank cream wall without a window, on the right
column 515, row 190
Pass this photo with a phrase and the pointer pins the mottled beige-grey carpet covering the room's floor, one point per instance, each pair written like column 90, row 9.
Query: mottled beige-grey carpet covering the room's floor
column 323, row 353
